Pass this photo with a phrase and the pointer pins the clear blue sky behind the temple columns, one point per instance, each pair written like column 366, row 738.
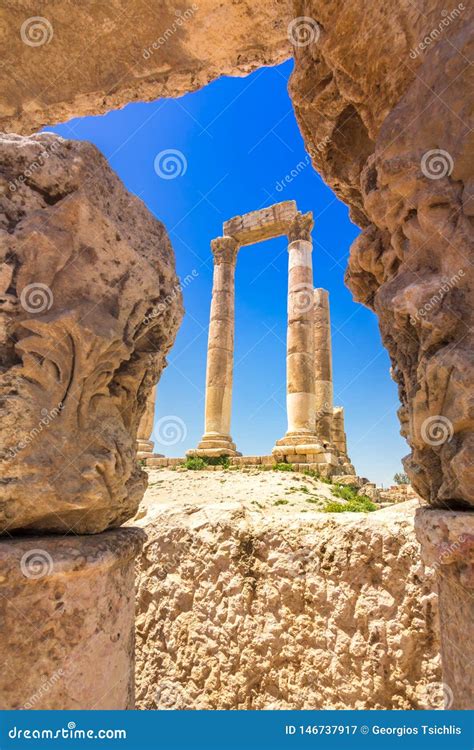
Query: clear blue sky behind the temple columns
column 240, row 139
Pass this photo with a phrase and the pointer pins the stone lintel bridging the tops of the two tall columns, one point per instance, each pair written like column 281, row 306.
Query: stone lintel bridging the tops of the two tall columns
column 263, row 224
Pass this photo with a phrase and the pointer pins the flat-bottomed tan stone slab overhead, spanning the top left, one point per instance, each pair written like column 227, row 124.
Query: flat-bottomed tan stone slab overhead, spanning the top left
column 71, row 59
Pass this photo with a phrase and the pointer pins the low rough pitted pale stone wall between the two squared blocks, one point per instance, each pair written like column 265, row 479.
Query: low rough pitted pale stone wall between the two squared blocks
column 240, row 609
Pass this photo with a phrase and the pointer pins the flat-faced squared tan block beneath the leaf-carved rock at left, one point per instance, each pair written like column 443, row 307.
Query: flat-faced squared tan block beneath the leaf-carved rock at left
column 67, row 621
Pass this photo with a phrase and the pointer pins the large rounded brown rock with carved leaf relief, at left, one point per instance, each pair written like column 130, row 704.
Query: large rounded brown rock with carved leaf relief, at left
column 89, row 306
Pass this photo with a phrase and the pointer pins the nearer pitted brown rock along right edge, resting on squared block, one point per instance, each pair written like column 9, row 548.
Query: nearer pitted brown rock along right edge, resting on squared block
column 411, row 265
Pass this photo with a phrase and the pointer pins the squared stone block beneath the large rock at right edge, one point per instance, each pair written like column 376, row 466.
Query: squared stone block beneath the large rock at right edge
column 447, row 545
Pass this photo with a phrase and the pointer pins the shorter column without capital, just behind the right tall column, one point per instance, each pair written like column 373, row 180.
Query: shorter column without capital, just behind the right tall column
column 323, row 365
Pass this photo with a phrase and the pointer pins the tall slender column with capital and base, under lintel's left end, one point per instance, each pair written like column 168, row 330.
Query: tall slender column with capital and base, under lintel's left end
column 220, row 353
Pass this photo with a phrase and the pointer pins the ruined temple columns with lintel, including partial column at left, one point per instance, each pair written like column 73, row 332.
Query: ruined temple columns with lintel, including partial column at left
column 315, row 437
